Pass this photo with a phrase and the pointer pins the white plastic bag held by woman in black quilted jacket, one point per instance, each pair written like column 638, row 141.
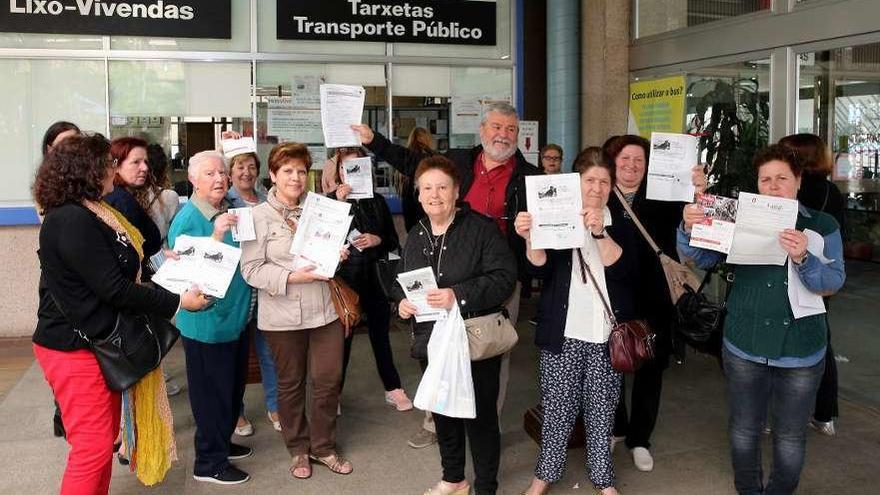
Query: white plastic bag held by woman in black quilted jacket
column 447, row 387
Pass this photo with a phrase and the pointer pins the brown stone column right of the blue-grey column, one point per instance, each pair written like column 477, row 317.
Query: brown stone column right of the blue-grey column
column 604, row 70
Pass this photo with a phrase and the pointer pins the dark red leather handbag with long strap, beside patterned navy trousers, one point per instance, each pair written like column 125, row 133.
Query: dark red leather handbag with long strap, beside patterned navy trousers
column 631, row 343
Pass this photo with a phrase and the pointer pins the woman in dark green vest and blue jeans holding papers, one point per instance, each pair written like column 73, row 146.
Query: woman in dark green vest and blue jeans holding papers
column 773, row 359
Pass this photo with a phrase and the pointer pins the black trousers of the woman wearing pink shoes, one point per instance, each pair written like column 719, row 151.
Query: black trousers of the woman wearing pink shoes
column 378, row 313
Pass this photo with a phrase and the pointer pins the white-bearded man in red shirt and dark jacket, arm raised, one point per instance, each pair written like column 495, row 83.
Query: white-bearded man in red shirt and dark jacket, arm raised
column 493, row 183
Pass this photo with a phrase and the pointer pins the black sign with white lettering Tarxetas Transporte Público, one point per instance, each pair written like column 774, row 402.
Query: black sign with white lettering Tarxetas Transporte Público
column 412, row 21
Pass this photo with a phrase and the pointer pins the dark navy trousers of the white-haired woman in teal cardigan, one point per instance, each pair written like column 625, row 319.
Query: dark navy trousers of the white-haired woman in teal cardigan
column 215, row 374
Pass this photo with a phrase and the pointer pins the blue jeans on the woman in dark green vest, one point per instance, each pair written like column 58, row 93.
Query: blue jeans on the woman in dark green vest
column 790, row 394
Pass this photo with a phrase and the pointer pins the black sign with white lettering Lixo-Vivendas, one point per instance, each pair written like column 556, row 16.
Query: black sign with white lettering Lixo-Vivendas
column 161, row 18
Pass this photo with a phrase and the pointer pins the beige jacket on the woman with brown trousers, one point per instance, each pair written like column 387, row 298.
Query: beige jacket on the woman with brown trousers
column 265, row 264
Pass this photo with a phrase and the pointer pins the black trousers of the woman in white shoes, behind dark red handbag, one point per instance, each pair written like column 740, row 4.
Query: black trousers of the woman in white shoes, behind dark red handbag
column 647, row 385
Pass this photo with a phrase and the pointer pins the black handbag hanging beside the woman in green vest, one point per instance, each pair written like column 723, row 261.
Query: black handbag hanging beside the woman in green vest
column 697, row 319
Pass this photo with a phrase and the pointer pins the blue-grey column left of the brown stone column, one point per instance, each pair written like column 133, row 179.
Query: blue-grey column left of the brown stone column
column 563, row 74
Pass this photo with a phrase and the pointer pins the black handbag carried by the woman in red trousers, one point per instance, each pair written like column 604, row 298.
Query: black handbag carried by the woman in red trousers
column 134, row 348
